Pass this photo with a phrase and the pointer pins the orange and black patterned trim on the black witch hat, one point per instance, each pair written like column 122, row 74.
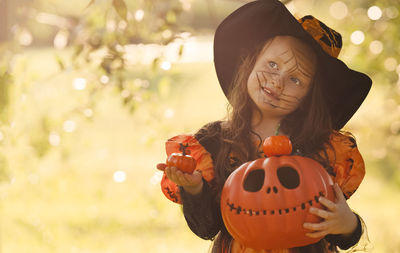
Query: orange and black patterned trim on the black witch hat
column 327, row 38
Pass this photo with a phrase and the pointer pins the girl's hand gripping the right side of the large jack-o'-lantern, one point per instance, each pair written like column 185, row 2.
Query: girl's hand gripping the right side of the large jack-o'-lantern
column 338, row 218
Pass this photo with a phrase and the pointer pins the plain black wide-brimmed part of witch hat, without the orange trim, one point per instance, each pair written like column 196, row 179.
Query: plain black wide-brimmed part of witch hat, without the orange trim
column 254, row 23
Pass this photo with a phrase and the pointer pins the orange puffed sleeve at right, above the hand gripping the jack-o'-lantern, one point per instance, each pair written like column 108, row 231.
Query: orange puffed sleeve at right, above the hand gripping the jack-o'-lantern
column 347, row 162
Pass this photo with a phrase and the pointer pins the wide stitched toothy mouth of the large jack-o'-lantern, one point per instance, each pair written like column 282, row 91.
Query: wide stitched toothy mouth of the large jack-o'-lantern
column 240, row 210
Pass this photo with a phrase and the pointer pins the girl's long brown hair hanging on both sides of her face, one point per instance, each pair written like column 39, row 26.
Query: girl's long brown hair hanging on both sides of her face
column 309, row 128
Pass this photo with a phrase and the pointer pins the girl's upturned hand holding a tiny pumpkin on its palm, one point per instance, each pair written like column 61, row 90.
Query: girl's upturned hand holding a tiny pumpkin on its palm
column 192, row 183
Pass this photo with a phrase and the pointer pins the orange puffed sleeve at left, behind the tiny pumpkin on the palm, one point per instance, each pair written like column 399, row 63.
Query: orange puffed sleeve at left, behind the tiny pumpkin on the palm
column 203, row 159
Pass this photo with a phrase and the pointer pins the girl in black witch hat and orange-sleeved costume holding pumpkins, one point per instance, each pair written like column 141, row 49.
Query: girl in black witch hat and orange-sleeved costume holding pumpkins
column 281, row 76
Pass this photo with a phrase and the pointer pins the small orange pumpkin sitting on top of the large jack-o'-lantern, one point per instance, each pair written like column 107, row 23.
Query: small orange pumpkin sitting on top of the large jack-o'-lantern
column 277, row 145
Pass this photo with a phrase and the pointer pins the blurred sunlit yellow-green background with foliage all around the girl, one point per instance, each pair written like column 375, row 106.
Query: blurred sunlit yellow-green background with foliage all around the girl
column 90, row 90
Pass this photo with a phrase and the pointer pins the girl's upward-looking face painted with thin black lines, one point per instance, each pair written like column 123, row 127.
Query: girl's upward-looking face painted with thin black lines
column 282, row 76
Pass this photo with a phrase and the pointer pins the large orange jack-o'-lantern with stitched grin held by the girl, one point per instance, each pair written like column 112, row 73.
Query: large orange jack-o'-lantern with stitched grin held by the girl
column 264, row 203
